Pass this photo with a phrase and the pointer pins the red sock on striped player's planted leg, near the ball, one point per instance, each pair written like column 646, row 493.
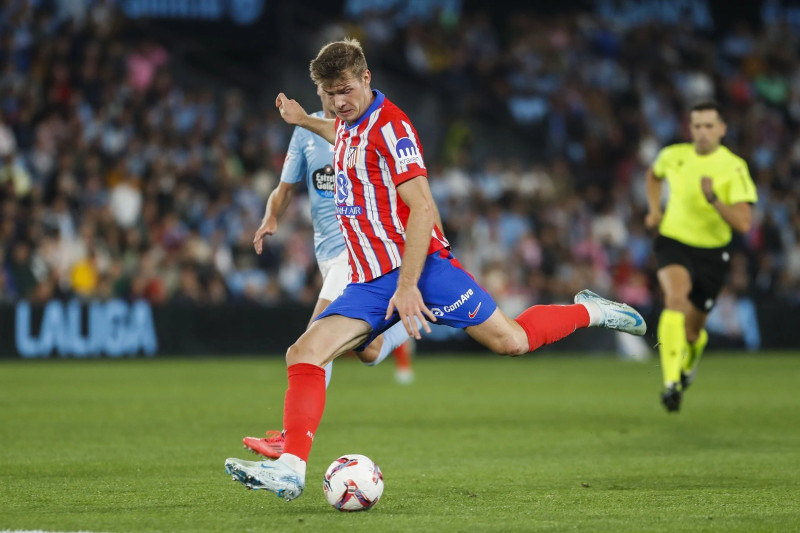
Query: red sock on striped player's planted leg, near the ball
column 303, row 407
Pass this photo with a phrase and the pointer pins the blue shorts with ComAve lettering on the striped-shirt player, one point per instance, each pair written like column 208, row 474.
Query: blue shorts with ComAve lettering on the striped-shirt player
column 447, row 289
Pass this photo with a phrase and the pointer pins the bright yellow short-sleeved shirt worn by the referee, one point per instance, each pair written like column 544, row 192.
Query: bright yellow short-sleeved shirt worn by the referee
column 689, row 218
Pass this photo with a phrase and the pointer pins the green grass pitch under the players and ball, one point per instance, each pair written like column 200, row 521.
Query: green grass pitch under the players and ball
column 478, row 443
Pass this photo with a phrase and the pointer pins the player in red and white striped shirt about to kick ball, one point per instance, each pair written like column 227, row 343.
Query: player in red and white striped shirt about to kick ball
column 400, row 264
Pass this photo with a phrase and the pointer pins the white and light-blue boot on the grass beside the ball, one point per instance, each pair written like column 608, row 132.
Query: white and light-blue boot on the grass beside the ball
column 275, row 476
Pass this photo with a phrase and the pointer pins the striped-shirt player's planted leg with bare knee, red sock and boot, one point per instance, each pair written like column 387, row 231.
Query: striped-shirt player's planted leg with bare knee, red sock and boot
column 304, row 404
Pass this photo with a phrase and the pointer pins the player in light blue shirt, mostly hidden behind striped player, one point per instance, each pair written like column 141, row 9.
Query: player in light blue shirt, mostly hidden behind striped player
column 310, row 159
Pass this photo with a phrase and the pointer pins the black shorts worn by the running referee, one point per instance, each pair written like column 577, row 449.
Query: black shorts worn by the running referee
column 708, row 268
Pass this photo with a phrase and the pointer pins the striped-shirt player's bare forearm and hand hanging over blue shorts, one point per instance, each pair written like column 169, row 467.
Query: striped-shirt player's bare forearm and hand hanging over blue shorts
column 407, row 299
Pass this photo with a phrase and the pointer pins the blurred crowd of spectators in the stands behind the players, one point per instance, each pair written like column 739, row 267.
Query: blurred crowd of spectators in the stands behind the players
column 117, row 180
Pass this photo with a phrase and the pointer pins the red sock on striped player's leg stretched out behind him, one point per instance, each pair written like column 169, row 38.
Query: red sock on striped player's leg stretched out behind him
column 546, row 324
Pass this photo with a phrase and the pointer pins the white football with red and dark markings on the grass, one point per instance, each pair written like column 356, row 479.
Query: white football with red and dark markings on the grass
column 353, row 483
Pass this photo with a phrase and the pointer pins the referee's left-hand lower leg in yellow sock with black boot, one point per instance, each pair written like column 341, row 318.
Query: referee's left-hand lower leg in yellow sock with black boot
column 672, row 348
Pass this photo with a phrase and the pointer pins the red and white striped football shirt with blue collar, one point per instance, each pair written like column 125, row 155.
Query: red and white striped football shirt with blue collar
column 371, row 158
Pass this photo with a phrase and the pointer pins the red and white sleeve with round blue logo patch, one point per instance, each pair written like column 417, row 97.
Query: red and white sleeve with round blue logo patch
column 399, row 144
